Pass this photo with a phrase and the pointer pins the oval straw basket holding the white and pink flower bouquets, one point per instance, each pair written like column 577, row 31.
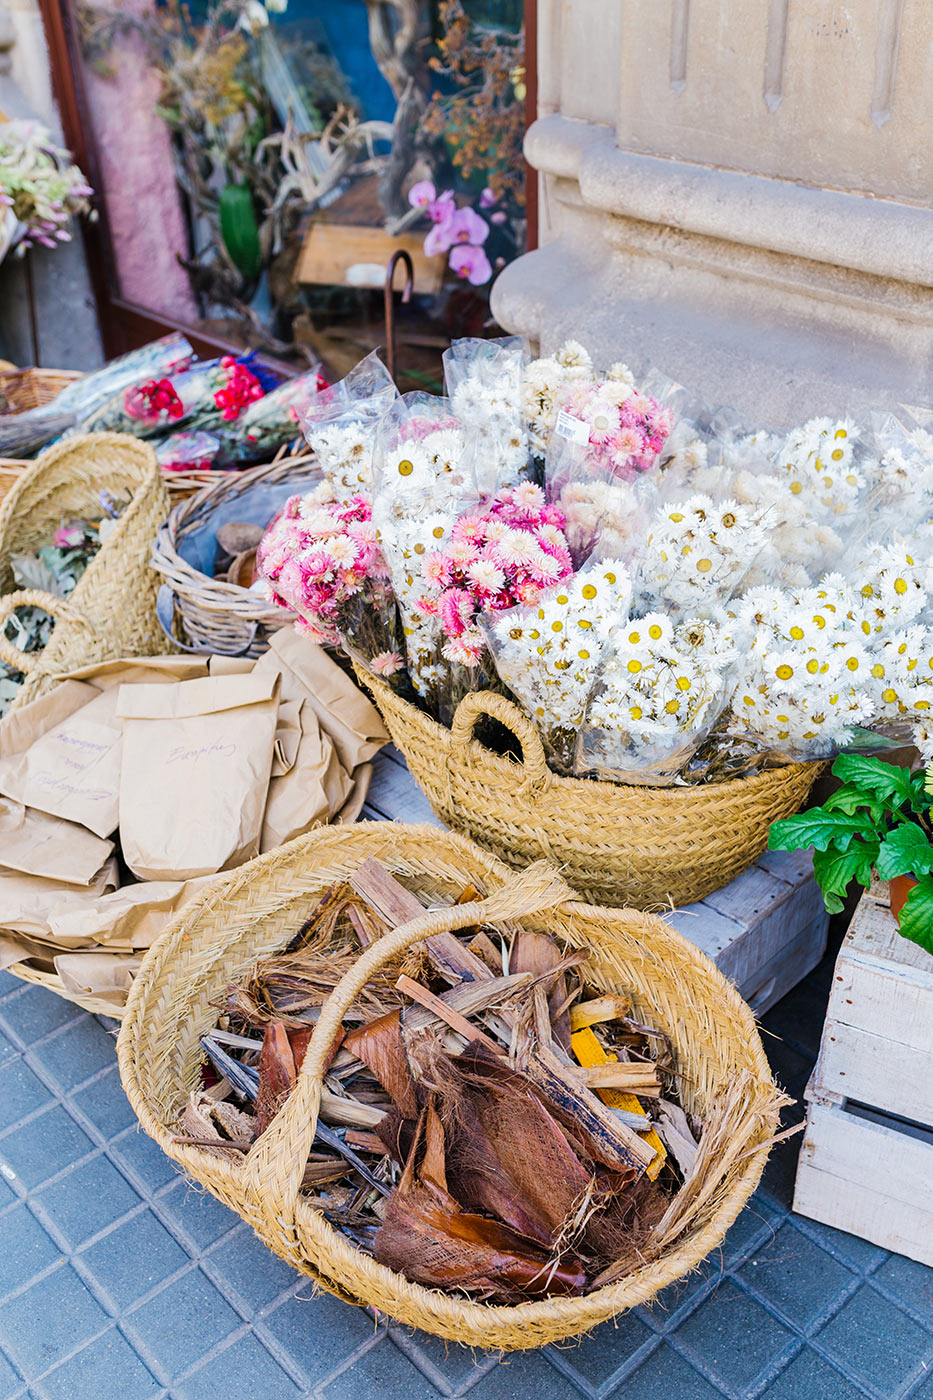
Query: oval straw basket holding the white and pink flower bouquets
column 641, row 846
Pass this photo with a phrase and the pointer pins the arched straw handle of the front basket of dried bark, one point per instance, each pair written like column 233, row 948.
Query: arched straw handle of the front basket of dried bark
column 275, row 1164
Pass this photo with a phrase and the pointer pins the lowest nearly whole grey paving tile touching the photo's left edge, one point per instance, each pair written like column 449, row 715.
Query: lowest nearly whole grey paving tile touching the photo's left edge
column 47, row 1322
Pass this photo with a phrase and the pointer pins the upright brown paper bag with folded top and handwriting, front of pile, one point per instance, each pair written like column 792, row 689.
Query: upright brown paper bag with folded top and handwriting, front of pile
column 197, row 762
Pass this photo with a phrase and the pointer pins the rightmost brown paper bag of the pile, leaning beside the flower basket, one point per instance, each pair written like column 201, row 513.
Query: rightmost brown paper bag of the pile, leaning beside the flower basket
column 343, row 710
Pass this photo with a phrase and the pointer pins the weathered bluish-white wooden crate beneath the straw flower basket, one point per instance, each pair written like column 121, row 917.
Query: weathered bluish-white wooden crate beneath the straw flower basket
column 766, row 932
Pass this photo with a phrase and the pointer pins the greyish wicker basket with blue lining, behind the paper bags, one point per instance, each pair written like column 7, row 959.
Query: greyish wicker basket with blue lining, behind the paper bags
column 215, row 615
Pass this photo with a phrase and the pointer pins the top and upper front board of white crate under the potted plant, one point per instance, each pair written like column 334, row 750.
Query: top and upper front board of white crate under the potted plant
column 878, row 1042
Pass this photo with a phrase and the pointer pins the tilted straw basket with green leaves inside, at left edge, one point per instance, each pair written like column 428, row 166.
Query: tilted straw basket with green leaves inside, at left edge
column 113, row 611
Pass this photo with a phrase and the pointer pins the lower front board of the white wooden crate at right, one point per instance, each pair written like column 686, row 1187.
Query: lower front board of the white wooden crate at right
column 868, row 1174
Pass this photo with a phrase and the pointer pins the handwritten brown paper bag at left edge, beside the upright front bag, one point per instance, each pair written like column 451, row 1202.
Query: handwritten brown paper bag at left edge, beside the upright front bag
column 74, row 769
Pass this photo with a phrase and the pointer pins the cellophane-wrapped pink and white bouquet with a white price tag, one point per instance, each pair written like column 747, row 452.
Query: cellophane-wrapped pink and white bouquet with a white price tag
column 606, row 437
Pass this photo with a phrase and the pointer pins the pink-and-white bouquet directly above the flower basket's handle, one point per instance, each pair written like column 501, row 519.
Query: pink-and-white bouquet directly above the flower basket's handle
column 509, row 551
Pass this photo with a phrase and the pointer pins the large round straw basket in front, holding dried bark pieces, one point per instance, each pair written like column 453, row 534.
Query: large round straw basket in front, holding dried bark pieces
column 257, row 911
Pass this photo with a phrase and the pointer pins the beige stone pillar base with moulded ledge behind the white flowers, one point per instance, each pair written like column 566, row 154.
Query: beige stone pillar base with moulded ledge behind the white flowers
column 739, row 192
